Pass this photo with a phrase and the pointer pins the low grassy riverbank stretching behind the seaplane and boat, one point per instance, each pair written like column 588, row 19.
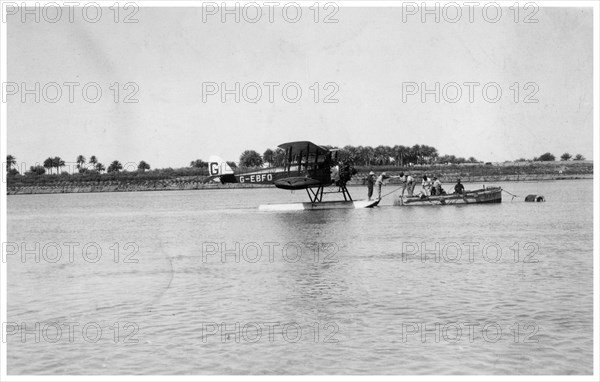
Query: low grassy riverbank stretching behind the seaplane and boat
column 485, row 174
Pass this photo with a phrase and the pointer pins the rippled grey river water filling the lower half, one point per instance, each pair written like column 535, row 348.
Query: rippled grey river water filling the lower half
column 357, row 306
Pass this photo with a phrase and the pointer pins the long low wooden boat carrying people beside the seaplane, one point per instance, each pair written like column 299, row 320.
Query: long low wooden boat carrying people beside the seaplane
column 483, row 195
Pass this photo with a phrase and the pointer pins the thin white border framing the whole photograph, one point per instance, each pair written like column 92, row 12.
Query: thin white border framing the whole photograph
column 596, row 226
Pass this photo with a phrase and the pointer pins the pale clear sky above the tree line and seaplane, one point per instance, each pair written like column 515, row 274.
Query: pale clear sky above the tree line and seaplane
column 374, row 61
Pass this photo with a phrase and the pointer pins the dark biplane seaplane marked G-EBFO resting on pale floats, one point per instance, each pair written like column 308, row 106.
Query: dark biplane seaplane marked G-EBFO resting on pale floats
column 306, row 166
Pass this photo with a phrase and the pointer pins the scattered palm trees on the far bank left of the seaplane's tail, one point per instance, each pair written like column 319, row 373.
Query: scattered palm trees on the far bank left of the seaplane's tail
column 83, row 165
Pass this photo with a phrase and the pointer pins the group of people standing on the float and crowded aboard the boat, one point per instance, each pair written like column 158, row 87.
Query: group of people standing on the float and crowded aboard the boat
column 430, row 186
